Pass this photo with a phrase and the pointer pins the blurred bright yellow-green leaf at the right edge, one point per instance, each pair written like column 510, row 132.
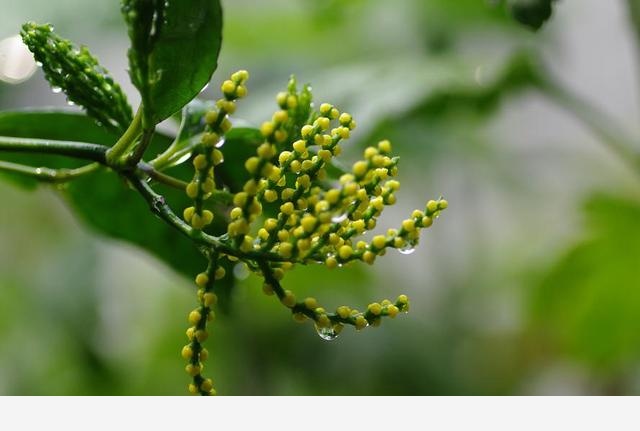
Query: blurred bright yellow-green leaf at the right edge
column 588, row 305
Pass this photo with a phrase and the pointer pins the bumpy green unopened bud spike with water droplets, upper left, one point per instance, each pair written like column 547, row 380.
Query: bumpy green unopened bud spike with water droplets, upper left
column 79, row 75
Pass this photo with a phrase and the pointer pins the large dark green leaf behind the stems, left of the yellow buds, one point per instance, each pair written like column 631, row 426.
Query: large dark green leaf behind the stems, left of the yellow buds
column 102, row 199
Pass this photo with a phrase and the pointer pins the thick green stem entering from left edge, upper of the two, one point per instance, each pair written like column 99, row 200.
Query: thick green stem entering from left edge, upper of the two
column 79, row 150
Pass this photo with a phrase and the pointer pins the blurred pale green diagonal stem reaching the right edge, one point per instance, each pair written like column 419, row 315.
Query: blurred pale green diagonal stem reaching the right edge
column 598, row 122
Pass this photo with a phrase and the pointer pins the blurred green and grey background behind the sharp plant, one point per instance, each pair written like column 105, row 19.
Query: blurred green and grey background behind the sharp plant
column 528, row 284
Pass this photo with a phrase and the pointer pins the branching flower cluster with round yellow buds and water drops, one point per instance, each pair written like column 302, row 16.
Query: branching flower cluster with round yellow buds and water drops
column 290, row 211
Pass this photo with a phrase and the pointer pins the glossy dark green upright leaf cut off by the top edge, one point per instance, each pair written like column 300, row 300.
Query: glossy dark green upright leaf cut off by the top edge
column 174, row 51
